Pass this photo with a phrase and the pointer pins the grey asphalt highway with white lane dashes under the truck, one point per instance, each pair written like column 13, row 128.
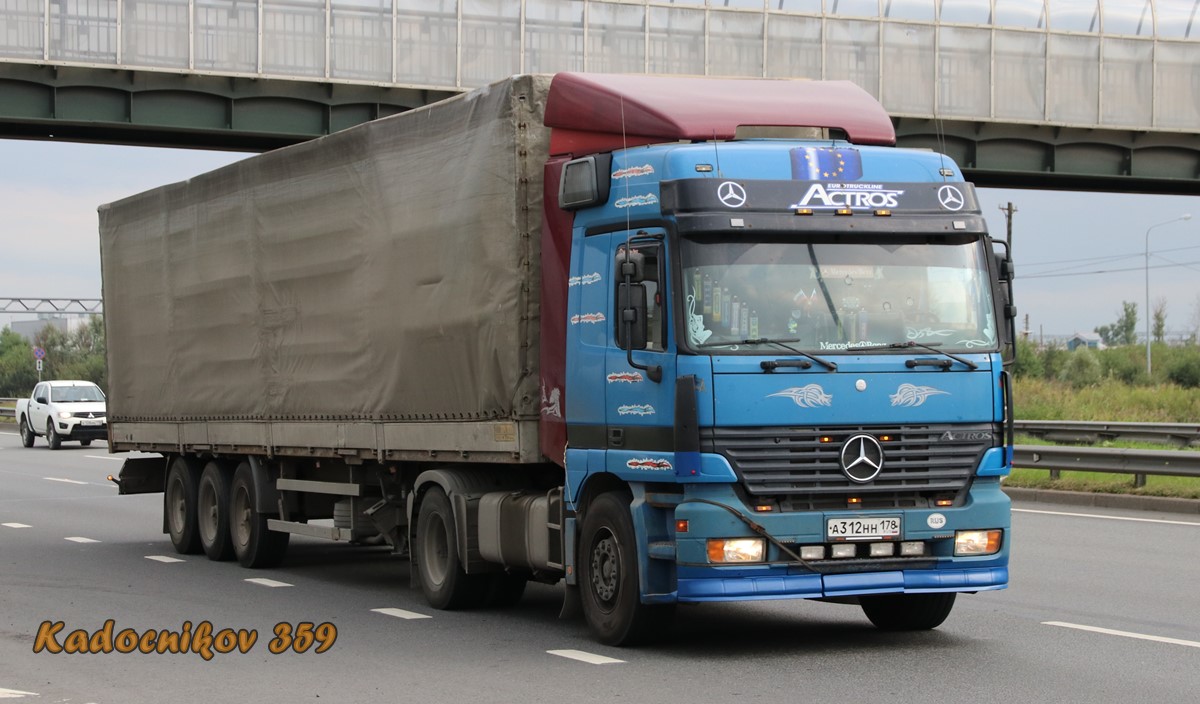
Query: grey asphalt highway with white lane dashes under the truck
column 1103, row 607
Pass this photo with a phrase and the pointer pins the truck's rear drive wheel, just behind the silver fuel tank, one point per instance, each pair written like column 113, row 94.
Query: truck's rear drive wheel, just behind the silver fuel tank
column 439, row 568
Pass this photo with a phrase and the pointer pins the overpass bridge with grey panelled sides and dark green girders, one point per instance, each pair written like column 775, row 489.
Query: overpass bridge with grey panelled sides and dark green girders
column 1059, row 94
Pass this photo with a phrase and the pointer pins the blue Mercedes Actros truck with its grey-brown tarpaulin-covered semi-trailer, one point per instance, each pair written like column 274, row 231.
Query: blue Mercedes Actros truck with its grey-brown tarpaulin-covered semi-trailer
column 663, row 340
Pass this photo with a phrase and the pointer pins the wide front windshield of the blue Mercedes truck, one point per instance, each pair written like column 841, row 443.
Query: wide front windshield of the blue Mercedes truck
column 829, row 297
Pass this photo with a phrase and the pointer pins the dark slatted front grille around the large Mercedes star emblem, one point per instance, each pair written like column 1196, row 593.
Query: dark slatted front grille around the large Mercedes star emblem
column 796, row 470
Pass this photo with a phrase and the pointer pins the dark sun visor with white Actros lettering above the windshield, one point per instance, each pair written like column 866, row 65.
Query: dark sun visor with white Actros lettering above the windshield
column 751, row 196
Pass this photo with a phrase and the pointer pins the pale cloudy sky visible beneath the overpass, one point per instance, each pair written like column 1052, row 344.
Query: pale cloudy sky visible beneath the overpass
column 1079, row 256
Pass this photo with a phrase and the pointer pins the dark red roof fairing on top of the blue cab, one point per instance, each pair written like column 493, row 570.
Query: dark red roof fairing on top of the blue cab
column 602, row 112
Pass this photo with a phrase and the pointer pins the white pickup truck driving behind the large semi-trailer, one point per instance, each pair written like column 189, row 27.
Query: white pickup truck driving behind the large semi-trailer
column 63, row 411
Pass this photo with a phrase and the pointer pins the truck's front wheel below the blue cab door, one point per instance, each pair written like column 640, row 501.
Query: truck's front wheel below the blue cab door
column 609, row 582
